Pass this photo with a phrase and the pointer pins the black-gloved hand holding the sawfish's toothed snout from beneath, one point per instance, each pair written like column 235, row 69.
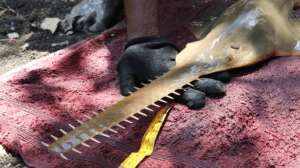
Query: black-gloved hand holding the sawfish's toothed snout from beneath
column 148, row 56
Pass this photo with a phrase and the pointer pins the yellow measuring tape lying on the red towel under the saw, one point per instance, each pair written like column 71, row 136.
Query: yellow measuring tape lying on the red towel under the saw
column 148, row 140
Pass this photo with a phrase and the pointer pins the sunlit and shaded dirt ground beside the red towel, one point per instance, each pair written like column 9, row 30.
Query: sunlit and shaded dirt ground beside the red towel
column 25, row 18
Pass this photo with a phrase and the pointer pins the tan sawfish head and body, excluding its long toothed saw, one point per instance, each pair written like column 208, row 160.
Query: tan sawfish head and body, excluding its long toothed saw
column 246, row 33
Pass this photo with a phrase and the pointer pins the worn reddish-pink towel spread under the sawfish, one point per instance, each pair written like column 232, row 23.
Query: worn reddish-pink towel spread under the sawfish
column 256, row 124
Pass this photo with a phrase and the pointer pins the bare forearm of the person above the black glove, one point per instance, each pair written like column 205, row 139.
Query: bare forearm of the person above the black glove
column 141, row 17
